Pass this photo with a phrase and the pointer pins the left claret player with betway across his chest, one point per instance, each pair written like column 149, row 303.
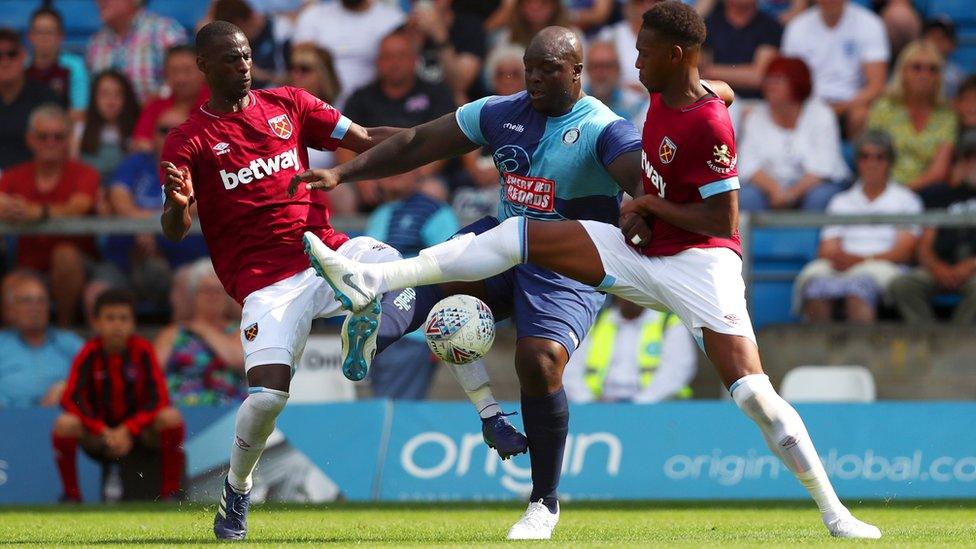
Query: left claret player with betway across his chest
column 234, row 157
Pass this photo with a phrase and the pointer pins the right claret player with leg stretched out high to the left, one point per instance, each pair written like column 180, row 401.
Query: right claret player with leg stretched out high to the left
column 690, row 264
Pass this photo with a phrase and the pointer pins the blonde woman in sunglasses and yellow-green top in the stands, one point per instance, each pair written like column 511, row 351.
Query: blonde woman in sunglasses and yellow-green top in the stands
column 913, row 112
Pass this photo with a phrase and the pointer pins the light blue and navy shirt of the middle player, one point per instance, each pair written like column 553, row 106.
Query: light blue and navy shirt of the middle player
column 552, row 167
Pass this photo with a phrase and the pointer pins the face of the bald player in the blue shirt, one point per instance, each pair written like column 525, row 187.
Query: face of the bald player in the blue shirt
column 550, row 81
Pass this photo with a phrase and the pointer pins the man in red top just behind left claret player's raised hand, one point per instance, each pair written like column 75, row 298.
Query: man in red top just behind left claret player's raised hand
column 187, row 91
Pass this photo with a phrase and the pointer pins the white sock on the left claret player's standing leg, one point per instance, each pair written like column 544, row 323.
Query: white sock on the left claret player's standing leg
column 255, row 422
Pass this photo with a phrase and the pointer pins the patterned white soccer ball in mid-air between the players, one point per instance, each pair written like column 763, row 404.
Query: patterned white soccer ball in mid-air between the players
column 460, row 329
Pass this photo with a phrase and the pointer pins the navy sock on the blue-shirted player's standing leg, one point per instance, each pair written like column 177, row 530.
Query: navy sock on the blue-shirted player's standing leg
column 546, row 421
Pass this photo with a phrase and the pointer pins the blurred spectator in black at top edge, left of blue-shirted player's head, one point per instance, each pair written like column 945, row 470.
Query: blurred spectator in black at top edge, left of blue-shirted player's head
column 453, row 45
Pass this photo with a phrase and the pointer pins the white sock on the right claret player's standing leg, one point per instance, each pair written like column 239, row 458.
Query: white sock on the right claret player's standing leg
column 787, row 437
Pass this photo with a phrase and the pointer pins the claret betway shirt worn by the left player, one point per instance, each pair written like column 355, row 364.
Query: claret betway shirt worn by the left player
column 241, row 164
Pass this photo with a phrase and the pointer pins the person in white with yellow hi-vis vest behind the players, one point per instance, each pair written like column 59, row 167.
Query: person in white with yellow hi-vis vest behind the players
column 632, row 354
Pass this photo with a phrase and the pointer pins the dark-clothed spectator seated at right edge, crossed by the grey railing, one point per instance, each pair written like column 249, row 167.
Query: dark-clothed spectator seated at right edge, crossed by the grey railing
column 946, row 255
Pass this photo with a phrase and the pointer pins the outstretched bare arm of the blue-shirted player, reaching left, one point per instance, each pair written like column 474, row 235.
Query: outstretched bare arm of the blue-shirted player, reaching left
column 406, row 150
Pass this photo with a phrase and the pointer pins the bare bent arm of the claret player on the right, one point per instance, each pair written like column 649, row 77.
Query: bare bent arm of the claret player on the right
column 717, row 215
